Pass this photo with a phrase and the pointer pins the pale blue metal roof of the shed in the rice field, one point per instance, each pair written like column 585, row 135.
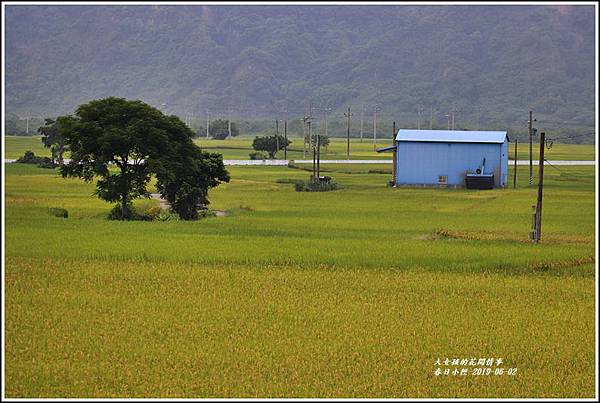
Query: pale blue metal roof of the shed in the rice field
column 451, row 136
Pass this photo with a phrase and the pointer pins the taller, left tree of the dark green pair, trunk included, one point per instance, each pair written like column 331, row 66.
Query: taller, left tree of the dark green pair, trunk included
column 115, row 131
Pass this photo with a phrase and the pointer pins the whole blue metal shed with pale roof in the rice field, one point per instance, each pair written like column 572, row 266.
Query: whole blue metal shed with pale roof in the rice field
column 446, row 157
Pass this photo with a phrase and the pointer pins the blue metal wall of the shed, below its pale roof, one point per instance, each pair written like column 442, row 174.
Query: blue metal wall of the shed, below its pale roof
column 420, row 163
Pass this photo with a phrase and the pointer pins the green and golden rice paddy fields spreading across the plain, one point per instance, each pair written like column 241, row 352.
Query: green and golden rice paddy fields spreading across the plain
column 351, row 293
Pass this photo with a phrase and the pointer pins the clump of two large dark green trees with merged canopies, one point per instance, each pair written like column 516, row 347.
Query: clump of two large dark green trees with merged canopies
column 139, row 141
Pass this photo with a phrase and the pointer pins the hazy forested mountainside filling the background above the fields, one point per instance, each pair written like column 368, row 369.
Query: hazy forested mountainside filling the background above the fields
column 491, row 63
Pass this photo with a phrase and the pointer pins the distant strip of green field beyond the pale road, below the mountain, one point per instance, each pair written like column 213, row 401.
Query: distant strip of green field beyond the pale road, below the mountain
column 240, row 148
